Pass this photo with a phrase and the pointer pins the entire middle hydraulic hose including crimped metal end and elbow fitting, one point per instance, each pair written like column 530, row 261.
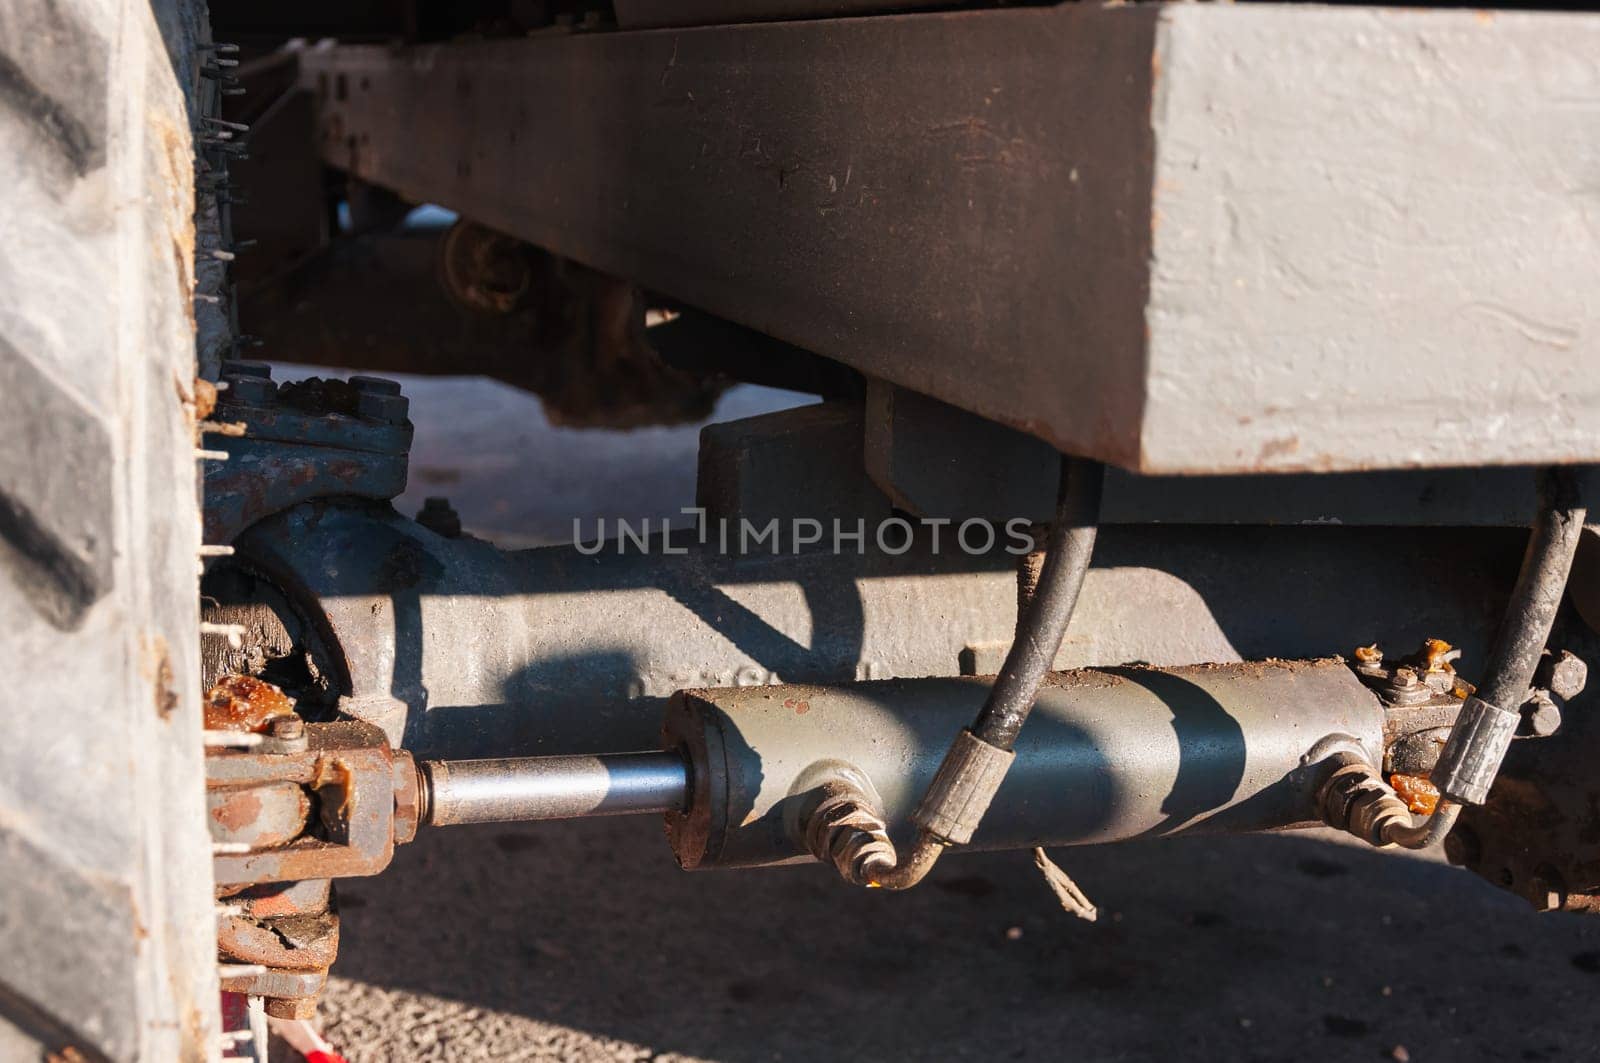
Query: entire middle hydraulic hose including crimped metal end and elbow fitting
column 982, row 755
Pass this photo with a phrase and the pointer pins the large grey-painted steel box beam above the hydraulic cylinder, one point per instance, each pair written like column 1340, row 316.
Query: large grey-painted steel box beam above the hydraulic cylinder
column 1178, row 238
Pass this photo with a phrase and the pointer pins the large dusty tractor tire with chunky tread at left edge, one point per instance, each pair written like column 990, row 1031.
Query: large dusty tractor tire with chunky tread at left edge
column 108, row 947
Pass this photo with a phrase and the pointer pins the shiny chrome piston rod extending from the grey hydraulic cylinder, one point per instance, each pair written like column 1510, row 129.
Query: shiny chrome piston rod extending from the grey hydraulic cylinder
column 553, row 788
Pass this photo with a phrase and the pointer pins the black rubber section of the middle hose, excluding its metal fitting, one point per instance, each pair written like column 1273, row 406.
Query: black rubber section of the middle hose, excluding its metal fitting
column 1042, row 628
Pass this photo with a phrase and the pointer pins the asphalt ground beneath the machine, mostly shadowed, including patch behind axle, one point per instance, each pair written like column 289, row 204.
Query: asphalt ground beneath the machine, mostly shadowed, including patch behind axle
column 585, row 942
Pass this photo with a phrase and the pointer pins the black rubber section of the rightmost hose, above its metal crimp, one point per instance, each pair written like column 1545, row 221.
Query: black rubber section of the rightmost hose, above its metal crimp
column 1538, row 592
